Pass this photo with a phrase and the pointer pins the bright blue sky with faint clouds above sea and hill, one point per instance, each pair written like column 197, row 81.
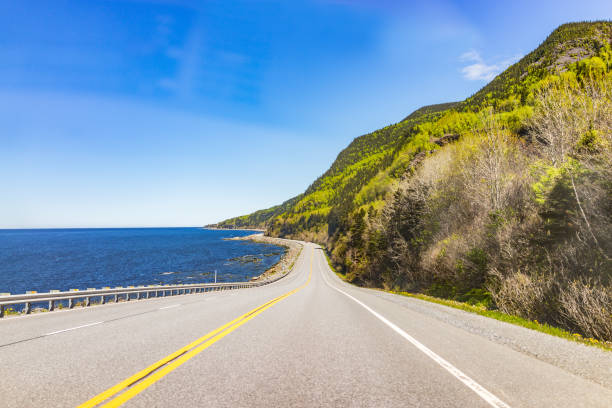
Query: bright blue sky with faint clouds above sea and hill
column 180, row 113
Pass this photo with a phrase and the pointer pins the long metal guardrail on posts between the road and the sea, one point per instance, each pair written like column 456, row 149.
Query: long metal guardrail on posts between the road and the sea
column 140, row 292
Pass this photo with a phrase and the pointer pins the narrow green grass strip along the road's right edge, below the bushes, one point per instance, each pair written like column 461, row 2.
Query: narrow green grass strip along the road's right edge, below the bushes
column 494, row 314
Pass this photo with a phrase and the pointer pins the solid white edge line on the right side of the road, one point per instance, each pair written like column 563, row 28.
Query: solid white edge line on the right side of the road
column 473, row 385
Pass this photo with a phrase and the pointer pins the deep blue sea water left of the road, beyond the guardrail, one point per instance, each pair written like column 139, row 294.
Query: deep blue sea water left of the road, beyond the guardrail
column 65, row 259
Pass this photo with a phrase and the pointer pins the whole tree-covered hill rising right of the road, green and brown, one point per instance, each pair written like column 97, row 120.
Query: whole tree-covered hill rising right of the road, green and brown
column 501, row 199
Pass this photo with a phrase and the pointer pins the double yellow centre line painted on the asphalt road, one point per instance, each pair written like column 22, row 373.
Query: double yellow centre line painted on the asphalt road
column 150, row 375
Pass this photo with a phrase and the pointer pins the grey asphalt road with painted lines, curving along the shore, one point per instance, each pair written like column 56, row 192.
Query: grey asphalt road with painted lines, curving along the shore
column 308, row 340
